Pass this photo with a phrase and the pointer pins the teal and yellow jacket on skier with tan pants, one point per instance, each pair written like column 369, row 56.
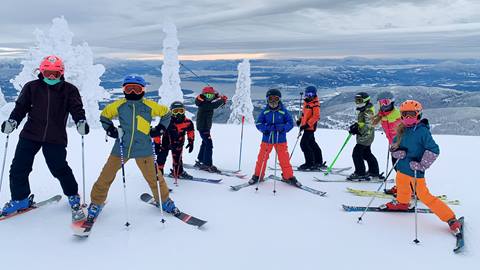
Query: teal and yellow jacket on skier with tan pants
column 135, row 117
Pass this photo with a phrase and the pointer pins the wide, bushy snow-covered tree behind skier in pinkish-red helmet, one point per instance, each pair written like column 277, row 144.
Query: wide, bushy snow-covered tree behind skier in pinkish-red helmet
column 79, row 67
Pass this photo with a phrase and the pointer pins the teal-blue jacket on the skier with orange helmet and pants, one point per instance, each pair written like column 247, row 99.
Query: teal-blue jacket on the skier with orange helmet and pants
column 415, row 140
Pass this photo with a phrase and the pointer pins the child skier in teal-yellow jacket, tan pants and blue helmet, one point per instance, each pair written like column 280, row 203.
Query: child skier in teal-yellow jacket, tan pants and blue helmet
column 133, row 140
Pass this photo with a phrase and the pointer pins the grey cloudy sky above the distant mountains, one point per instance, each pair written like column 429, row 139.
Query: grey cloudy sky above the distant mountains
column 210, row 29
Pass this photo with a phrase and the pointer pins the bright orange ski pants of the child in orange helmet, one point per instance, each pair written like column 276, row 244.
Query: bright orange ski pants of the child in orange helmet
column 405, row 187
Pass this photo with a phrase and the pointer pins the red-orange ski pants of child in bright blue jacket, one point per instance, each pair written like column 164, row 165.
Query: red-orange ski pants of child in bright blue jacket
column 283, row 159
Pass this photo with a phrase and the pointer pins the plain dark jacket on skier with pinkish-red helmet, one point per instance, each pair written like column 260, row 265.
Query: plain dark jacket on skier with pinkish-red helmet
column 47, row 107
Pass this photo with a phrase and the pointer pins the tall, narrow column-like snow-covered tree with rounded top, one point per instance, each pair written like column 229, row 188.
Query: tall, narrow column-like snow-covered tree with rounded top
column 170, row 90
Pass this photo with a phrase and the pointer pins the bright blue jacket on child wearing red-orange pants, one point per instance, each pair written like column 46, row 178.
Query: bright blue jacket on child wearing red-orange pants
column 279, row 120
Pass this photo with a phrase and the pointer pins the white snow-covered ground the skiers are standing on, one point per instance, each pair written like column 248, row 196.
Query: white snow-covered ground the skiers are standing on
column 246, row 229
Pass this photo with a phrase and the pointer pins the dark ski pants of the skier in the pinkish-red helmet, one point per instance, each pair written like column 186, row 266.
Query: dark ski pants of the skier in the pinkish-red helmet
column 55, row 157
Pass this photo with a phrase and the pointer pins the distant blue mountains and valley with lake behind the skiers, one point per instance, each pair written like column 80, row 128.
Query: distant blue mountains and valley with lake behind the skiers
column 449, row 89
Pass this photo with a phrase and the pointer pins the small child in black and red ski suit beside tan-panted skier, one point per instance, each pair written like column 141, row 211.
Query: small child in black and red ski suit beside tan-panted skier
column 173, row 139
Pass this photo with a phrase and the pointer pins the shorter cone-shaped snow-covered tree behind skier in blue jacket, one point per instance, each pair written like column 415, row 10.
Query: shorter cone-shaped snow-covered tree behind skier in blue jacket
column 241, row 101
